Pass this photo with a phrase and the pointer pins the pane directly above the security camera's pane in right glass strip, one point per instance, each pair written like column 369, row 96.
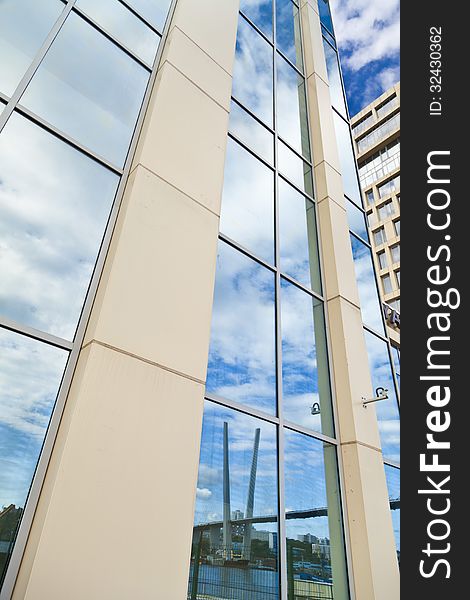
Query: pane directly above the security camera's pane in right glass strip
column 365, row 277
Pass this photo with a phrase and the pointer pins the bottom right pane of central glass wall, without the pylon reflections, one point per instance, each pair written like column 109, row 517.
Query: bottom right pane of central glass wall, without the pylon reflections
column 316, row 566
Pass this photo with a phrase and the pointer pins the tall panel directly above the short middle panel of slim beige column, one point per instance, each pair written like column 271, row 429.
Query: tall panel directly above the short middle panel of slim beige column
column 323, row 134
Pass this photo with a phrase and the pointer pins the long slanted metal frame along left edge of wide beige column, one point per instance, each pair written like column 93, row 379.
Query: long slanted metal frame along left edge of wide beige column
column 49, row 441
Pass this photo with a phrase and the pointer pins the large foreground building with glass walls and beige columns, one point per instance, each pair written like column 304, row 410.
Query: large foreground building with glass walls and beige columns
column 178, row 274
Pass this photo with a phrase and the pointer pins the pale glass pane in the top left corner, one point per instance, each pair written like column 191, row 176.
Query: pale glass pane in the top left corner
column 24, row 25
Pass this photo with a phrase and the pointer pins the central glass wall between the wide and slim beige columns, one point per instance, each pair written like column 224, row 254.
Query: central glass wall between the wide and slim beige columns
column 268, row 520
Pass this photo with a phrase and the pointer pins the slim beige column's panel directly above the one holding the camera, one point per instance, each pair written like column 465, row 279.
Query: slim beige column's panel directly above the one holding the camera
column 338, row 266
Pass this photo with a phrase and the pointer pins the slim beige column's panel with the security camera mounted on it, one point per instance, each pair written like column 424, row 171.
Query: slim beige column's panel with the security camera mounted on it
column 351, row 374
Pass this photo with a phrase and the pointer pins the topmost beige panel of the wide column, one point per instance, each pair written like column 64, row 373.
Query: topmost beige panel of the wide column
column 212, row 25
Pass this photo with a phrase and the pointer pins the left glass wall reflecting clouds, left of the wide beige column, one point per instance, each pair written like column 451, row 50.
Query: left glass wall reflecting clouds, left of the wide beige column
column 72, row 85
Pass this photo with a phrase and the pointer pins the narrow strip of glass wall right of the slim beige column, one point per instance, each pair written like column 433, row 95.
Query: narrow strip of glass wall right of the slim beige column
column 378, row 346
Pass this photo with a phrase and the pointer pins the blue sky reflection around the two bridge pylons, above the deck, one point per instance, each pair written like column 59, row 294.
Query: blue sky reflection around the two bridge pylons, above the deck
column 241, row 433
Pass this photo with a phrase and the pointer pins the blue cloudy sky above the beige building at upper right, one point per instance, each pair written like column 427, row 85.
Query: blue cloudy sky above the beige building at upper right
column 368, row 37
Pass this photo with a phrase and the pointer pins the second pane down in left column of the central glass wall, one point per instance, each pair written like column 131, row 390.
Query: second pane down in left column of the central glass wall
column 253, row 72
